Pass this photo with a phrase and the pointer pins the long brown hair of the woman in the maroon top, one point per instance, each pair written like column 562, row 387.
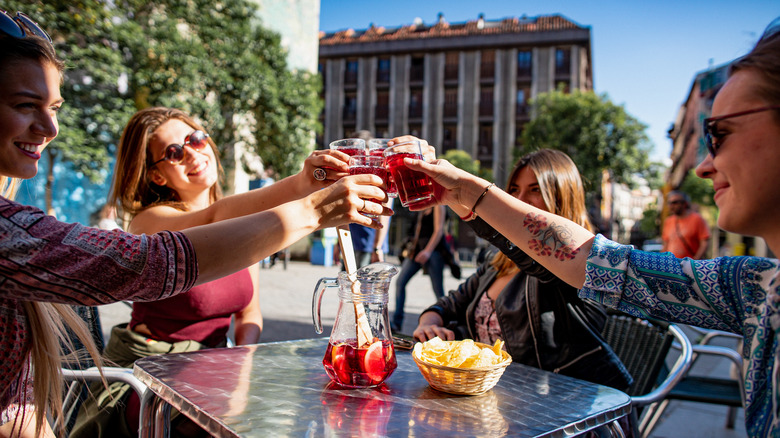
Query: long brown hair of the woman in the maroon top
column 132, row 189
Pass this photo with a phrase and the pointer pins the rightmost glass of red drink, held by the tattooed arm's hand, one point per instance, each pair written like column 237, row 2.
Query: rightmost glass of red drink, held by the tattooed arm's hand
column 412, row 186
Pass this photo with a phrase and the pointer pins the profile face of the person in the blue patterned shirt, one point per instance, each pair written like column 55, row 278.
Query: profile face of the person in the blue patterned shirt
column 744, row 170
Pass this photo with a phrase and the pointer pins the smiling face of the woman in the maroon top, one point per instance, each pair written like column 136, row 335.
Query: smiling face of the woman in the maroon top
column 197, row 172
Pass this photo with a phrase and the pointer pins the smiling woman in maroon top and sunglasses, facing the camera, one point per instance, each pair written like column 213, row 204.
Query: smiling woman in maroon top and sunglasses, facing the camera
column 167, row 177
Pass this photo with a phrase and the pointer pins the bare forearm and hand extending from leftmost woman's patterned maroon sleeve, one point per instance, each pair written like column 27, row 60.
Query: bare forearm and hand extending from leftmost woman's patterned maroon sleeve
column 228, row 246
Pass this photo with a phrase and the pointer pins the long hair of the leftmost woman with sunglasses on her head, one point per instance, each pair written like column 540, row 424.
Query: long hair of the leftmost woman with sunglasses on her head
column 47, row 322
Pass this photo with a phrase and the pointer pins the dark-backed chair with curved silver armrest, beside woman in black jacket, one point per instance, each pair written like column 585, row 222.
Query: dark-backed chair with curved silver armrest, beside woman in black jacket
column 643, row 345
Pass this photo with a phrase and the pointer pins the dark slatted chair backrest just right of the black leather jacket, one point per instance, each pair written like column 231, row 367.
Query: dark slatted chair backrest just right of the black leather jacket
column 642, row 345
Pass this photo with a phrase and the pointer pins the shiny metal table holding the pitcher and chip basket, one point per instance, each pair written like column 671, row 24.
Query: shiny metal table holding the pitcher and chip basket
column 281, row 389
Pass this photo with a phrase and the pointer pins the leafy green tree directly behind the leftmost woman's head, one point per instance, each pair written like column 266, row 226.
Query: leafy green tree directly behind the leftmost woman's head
column 95, row 108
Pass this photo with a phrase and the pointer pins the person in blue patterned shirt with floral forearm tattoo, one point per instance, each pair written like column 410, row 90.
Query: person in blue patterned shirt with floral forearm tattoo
column 737, row 294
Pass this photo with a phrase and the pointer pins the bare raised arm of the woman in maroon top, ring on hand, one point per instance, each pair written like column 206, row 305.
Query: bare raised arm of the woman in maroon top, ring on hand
column 291, row 188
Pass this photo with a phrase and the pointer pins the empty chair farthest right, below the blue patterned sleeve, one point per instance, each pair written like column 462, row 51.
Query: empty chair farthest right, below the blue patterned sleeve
column 704, row 389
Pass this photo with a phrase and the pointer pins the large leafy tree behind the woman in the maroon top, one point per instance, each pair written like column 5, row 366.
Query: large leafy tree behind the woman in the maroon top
column 216, row 62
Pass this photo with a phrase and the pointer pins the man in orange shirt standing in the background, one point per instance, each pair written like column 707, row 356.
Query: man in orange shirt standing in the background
column 685, row 233
